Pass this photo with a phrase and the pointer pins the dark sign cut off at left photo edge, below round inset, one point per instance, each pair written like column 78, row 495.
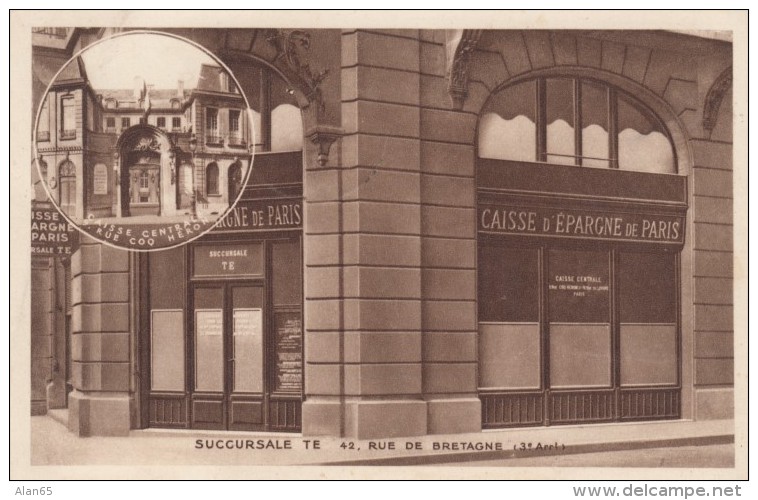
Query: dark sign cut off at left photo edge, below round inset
column 52, row 235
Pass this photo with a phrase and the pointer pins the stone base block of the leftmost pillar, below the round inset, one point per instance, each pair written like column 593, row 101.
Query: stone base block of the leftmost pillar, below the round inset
column 91, row 415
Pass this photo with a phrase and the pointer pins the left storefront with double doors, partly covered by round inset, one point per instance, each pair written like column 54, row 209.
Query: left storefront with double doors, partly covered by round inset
column 221, row 339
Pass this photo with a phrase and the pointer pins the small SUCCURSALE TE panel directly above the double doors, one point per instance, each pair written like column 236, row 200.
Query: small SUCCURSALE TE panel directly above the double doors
column 228, row 260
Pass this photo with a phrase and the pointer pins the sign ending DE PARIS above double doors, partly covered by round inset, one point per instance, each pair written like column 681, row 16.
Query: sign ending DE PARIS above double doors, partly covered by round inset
column 263, row 215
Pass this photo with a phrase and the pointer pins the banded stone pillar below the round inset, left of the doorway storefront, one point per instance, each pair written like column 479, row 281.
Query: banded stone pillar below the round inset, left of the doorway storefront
column 99, row 404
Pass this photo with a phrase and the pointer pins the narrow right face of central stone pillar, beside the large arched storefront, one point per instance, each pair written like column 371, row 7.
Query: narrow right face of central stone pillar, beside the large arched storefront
column 448, row 248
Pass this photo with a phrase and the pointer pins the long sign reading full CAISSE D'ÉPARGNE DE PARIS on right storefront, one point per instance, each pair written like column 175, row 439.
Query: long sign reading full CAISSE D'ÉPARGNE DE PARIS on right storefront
column 582, row 224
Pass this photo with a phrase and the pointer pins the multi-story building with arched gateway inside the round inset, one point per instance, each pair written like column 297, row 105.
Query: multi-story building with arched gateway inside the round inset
column 143, row 151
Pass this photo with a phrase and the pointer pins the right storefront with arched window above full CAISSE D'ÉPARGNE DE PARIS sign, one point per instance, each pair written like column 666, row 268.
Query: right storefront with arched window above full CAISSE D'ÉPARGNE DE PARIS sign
column 578, row 260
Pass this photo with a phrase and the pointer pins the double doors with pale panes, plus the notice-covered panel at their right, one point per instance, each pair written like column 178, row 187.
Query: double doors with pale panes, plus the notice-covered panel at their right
column 246, row 363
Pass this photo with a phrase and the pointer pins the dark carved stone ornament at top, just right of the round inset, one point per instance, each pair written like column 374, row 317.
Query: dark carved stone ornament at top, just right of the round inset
column 292, row 48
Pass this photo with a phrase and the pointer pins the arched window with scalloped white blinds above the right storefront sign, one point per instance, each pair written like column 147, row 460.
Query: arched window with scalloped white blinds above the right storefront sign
column 574, row 122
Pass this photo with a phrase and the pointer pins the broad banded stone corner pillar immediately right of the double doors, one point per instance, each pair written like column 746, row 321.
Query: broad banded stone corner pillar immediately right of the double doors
column 363, row 251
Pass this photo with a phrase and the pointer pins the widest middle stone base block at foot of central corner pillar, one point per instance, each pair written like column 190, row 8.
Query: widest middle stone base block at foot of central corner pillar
column 385, row 419
